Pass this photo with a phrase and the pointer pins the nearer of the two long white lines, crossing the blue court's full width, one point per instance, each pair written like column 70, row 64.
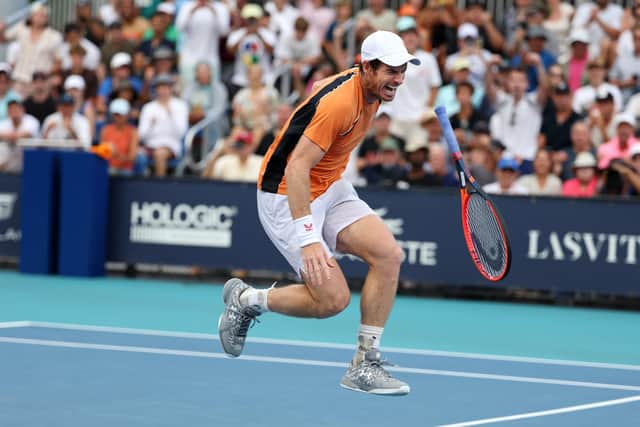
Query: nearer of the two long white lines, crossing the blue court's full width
column 308, row 362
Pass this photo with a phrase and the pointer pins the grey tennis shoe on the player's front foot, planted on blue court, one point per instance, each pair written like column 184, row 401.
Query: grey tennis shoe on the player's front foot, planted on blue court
column 370, row 377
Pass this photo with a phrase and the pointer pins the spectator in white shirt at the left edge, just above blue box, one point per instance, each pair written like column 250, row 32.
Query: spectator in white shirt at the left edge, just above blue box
column 16, row 126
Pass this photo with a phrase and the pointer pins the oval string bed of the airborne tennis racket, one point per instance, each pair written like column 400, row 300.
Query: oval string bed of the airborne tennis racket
column 486, row 236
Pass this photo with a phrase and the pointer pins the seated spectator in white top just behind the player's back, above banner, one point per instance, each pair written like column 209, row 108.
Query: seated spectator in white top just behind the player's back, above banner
column 238, row 163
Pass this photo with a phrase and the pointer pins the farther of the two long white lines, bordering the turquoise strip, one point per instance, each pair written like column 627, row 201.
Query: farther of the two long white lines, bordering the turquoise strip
column 317, row 344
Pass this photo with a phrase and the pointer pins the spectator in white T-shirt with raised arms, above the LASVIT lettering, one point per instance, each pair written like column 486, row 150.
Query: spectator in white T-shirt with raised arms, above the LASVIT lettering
column 518, row 117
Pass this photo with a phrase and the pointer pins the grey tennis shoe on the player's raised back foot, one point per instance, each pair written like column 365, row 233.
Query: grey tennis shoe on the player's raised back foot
column 236, row 320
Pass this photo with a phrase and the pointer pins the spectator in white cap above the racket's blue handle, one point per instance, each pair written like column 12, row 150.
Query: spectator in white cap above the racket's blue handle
column 469, row 47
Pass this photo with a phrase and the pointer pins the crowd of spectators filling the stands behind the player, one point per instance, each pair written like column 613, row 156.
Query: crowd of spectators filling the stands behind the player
column 544, row 102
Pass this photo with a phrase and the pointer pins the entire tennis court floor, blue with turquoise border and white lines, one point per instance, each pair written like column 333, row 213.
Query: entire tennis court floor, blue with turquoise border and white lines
column 86, row 352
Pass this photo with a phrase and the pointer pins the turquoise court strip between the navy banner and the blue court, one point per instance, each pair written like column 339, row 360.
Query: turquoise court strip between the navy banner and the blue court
column 579, row 334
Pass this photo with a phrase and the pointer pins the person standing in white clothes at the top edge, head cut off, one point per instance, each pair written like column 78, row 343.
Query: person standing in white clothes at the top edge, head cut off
column 201, row 24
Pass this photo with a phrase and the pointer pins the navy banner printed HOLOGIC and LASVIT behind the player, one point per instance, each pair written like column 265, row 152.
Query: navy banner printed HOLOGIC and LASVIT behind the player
column 558, row 244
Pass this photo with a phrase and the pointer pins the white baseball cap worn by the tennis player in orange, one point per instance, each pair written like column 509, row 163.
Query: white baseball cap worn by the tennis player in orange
column 388, row 48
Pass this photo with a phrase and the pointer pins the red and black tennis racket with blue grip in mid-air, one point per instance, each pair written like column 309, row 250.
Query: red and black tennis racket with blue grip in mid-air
column 482, row 224
